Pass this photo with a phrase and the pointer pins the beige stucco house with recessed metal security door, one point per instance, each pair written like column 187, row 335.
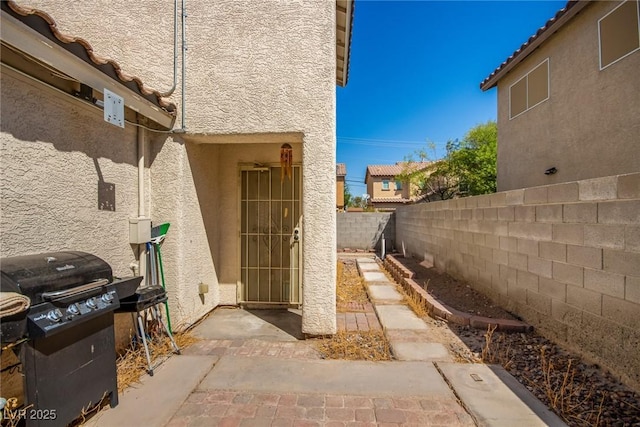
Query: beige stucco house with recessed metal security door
column 233, row 158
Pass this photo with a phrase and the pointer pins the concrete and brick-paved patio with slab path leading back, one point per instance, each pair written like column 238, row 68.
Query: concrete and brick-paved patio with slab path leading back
column 251, row 369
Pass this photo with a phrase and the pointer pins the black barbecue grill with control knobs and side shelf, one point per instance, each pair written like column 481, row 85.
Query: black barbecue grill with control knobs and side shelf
column 65, row 340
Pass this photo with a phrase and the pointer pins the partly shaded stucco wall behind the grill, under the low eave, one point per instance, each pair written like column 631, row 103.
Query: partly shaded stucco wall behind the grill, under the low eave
column 54, row 151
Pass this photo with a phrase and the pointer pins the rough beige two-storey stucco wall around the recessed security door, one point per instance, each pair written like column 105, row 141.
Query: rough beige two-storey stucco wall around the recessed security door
column 252, row 69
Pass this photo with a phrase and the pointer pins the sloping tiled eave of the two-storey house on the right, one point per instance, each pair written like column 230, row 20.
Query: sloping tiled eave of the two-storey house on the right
column 522, row 53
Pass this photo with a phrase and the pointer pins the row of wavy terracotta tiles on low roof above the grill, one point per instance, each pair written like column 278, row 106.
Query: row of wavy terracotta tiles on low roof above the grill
column 46, row 25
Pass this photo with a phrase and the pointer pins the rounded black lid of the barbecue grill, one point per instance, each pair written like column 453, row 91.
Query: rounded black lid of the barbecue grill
column 53, row 271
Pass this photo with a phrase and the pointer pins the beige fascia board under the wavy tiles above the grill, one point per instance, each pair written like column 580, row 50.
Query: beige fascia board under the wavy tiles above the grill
column 31, row 42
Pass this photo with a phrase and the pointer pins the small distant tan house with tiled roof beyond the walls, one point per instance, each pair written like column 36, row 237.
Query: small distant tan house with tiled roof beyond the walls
column 386, row 192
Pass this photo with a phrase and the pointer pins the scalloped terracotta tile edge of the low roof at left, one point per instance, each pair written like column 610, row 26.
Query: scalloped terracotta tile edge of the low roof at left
column 98, row 61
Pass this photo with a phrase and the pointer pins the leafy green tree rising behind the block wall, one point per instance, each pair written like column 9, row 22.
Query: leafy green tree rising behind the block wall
column 467, row 169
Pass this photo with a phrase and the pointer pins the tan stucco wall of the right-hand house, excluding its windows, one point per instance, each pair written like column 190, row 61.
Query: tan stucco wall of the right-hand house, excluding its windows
column 590, row 125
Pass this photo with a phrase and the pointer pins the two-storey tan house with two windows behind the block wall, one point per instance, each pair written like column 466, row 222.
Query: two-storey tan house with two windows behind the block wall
column 568, row 103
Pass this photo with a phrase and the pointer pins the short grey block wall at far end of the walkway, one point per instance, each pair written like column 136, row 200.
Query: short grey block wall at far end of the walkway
column 363, row 230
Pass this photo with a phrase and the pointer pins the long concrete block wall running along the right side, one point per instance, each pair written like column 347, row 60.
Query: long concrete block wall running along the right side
column 564, row 257
